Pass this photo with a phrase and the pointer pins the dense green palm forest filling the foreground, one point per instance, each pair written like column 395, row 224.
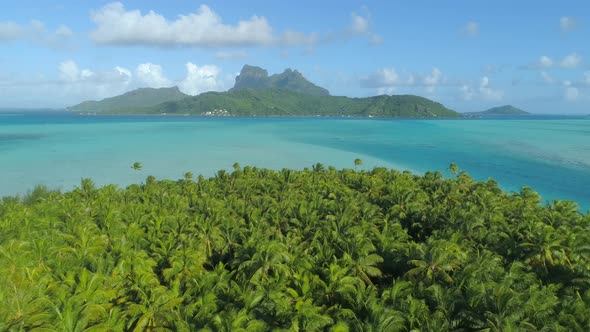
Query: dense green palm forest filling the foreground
column 313, row 250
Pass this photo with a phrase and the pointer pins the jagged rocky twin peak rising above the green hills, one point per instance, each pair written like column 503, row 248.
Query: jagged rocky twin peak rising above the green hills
column 252, row 77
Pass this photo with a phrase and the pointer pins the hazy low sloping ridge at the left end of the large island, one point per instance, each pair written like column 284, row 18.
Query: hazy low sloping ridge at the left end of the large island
column 136, row 99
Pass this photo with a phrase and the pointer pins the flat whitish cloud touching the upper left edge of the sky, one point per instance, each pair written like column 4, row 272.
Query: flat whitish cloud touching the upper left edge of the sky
column 35, row 32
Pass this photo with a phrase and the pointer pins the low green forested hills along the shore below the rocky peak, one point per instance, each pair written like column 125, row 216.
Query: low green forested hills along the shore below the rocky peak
column 280, row 102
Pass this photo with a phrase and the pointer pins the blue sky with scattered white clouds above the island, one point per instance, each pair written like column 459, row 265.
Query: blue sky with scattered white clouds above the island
column 469, row 55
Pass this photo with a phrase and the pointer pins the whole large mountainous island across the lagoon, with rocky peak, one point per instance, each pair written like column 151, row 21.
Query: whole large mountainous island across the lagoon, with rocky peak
column 255, row 93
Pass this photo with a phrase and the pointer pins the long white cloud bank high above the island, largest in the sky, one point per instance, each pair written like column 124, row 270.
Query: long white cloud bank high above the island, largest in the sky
column 117, row 26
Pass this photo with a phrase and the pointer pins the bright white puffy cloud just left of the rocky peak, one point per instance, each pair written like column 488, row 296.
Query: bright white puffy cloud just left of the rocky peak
column 200, row 79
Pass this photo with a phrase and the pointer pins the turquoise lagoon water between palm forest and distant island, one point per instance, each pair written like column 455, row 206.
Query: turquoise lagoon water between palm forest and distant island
column 57, row 149
